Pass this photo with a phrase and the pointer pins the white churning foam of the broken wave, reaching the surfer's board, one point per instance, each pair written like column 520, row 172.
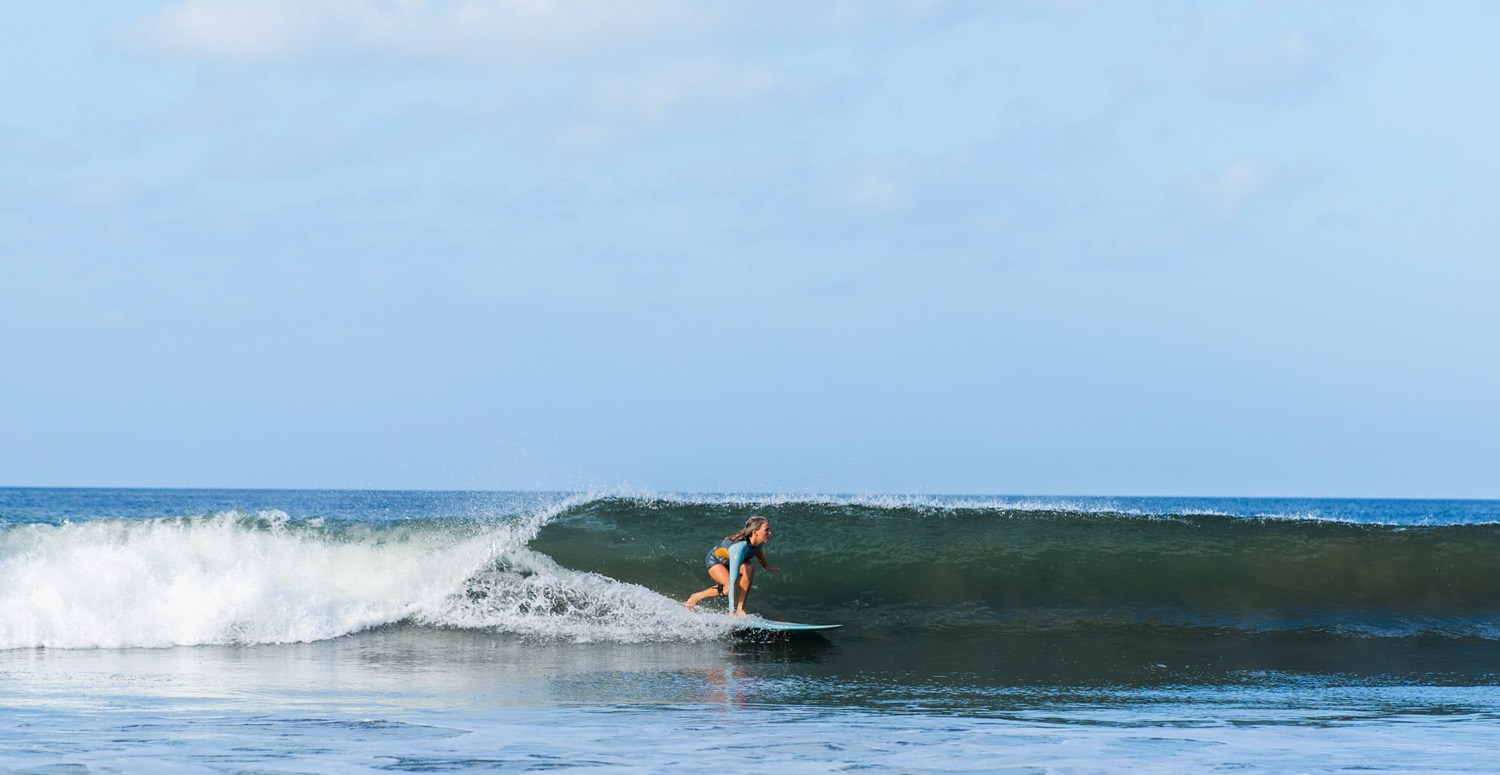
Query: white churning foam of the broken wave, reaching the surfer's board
column 263, row 579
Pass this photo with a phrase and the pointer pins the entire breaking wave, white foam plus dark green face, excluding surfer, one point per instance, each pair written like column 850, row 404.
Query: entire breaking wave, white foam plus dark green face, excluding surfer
column 614, row 569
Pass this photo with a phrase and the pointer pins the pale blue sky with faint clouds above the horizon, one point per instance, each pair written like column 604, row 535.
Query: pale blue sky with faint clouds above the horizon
column 884, row 247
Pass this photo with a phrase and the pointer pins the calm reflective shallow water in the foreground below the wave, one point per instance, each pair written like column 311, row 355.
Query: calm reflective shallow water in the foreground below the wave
column 406, row 699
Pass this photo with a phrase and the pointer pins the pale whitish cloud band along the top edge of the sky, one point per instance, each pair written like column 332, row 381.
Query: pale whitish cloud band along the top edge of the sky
column 482, row 32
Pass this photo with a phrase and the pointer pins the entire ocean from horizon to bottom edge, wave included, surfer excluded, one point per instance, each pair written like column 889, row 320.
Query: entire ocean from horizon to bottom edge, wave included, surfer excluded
column 280, row 632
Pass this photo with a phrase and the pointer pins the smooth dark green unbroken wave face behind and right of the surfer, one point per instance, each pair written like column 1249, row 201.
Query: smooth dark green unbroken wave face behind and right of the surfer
column 989, row 570
